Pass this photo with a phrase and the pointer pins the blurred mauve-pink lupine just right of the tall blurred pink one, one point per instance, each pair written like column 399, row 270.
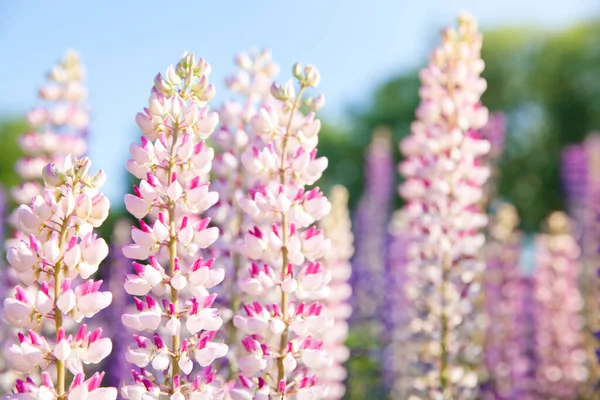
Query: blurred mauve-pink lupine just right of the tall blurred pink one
column 504, row 352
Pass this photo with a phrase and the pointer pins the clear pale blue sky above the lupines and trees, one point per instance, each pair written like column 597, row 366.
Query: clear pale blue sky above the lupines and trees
column 356, row 45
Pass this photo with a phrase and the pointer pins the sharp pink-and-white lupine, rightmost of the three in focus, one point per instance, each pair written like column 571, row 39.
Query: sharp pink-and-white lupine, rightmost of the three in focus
column 284, row 356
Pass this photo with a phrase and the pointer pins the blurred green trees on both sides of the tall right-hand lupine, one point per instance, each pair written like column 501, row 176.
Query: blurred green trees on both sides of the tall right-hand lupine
column 548, row 84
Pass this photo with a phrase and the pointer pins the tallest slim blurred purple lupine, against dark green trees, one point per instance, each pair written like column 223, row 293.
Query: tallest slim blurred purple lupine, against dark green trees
column 371, row 219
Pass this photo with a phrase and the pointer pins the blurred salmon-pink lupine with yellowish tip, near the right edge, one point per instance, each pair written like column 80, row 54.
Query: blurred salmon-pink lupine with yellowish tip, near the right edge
column 561, row 359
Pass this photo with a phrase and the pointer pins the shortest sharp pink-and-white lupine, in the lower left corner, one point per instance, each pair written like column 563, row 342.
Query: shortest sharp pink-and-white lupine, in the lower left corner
column 59, row 249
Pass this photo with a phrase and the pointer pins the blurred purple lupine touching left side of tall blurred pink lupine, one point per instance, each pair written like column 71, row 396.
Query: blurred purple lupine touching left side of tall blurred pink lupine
column 395, row 362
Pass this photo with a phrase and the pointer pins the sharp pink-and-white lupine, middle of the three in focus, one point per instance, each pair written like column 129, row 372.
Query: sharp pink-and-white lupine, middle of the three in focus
column 174, row 313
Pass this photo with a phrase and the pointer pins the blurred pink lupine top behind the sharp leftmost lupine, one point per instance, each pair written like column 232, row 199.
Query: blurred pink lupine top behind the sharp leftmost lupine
column 59, row 128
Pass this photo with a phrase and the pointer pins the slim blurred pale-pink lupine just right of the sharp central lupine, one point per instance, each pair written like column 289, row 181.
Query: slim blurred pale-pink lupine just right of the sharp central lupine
column 337, row 226
